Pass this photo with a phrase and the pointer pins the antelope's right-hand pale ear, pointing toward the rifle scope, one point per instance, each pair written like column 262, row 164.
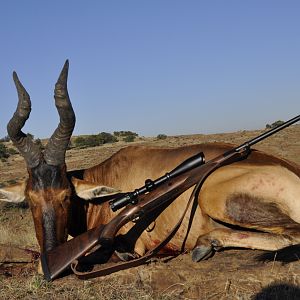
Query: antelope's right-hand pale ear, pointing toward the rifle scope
column 90, row 190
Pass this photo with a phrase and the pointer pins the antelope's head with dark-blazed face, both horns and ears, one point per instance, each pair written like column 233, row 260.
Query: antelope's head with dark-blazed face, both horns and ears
column 48, row 189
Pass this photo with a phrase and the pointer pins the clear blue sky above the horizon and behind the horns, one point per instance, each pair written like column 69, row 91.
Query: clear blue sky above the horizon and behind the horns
column 172, row 67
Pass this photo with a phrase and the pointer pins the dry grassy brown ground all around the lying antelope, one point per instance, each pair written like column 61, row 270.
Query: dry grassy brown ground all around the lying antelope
column 229, row 274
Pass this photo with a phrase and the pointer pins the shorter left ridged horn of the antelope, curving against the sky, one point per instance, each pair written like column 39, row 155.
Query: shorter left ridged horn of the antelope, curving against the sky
column 28, row 149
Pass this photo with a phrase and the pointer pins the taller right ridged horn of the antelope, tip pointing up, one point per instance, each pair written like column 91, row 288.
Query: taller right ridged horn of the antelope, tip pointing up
column 57, row 145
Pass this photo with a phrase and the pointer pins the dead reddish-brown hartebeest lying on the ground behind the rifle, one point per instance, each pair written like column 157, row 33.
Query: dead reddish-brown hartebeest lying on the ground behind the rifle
column 261, row 193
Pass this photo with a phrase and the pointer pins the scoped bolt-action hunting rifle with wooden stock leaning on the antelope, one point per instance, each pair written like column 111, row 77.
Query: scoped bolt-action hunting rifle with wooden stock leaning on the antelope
column 145, row 200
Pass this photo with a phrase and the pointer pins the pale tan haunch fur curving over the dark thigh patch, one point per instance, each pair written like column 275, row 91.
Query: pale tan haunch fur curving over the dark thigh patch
column 270, row 184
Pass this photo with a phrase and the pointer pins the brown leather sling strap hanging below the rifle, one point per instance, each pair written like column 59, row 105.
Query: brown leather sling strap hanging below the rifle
column 106, row 270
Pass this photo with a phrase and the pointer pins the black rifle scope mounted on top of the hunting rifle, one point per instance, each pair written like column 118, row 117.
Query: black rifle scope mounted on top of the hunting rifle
column 132, row 197
